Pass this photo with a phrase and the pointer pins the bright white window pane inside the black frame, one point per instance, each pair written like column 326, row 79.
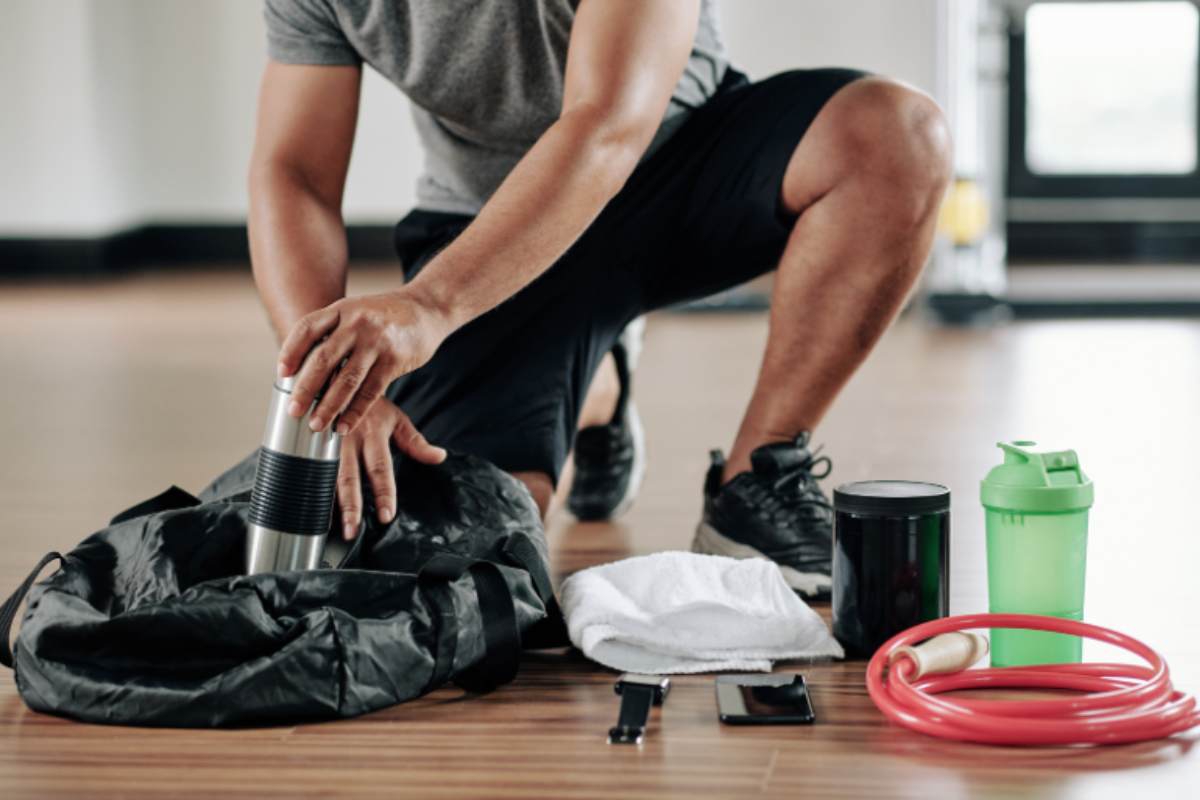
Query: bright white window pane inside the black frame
column 1112, row 88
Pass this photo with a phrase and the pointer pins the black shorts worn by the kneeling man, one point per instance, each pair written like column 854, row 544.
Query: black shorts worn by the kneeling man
column 701, row 215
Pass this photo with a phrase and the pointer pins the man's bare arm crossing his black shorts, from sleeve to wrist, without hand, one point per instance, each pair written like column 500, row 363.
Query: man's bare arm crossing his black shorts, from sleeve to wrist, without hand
column 625, row 61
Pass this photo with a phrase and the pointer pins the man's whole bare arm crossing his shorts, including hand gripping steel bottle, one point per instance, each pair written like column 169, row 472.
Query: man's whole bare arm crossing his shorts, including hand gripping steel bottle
column 625, row 61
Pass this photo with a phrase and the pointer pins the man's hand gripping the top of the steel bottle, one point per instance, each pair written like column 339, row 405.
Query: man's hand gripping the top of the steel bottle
column 381, row 339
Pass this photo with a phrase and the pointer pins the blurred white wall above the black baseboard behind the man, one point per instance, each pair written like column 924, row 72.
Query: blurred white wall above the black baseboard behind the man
column 122, row 112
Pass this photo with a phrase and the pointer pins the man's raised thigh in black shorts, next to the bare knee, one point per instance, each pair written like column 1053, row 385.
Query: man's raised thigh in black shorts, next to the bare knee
column 705, row 214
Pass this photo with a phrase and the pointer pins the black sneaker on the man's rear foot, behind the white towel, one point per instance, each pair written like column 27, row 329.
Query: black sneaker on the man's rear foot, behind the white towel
column 610, row 460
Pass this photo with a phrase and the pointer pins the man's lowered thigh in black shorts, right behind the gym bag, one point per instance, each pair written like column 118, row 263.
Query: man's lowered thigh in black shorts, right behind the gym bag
column 509, row 386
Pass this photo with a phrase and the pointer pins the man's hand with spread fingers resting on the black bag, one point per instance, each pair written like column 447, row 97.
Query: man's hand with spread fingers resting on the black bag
column 367, row 449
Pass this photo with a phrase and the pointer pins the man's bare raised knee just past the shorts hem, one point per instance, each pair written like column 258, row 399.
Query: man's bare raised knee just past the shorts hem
column 895, row 136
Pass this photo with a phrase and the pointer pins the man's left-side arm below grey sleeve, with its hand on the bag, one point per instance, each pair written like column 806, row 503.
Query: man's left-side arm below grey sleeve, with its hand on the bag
column 307, row 119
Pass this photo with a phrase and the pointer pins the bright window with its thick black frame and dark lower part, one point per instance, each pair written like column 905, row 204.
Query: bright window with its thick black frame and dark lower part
column 1103, row 134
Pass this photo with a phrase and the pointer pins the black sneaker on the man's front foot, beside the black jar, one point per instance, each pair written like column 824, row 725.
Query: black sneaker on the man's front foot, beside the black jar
column 776, row 512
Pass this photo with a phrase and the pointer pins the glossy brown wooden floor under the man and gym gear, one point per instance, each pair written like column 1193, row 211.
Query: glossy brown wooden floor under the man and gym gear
column 111, row 392
